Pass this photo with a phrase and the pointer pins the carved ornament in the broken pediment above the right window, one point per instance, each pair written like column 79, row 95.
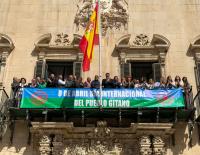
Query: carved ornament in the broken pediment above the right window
column 141, row 40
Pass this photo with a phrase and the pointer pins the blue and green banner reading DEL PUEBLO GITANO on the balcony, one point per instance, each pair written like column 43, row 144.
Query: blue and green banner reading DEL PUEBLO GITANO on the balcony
column 111, row 98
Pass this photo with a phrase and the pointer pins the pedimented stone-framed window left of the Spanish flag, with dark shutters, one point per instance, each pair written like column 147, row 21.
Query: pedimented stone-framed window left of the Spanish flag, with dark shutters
column 58, row 54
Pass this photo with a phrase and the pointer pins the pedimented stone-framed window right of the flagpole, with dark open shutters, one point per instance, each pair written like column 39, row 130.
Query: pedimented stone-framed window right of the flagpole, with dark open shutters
column 140, row 56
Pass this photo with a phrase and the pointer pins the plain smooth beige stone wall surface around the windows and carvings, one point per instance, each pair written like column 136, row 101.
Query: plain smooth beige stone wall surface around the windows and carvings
column 24, row 21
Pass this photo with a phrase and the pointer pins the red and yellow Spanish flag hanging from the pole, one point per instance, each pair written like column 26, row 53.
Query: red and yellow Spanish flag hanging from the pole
column 90, row 39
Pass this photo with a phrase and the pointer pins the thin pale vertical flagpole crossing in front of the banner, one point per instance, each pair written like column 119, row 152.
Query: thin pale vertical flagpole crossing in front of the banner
column 100, row 48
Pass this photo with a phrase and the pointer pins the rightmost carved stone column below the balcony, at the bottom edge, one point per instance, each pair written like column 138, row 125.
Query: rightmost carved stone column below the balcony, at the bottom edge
column 158, row 146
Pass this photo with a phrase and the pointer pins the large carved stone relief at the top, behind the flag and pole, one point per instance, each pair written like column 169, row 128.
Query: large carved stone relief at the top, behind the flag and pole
column 114, row 14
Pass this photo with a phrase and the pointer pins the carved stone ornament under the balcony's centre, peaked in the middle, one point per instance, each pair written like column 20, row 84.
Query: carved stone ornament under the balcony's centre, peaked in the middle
column 98, row 142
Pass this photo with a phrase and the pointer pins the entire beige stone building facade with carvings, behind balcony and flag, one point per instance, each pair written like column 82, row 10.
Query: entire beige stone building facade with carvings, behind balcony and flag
column 36, row 35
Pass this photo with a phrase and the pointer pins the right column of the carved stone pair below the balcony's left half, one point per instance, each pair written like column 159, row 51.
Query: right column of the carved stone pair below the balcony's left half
column 58, row 148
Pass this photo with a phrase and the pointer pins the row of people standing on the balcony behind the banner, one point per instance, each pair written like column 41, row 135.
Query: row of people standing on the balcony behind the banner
column 72, row 82
